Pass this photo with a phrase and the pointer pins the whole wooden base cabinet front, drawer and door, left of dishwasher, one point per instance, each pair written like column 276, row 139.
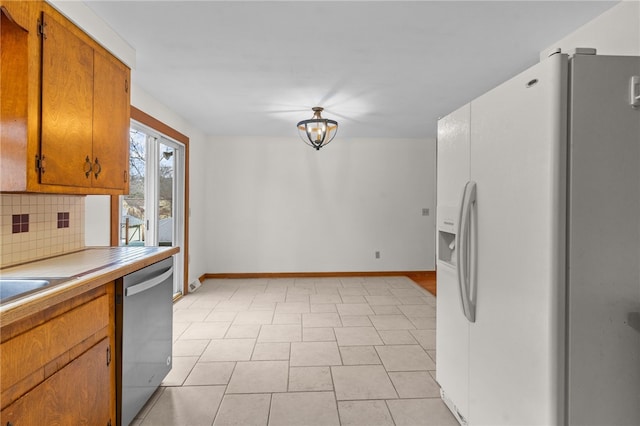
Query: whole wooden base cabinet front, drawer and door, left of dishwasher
column 57, row 367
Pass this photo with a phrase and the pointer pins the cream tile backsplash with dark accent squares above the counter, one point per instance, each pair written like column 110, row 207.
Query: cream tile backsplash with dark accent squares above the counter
column 55, row 225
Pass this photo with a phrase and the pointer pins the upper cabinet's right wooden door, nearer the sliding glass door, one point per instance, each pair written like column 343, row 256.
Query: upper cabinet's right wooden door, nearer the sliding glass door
column 110, row 123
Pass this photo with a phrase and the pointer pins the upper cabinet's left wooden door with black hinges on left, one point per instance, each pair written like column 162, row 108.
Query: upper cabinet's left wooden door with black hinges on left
column 67, row 106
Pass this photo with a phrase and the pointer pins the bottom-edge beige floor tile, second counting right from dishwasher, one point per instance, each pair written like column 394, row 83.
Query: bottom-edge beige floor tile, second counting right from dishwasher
column 244, row 410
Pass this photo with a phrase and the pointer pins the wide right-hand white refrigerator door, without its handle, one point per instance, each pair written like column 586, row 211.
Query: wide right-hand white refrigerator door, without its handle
column 518, row 155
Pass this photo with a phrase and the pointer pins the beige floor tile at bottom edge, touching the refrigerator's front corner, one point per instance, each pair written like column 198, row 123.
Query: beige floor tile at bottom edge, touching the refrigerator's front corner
column 427, row 412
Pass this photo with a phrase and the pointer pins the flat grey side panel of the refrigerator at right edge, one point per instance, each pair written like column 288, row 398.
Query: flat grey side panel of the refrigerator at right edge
column 604, row 241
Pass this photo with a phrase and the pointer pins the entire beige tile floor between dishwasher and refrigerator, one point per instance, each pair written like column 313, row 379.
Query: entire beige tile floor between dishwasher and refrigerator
column 302, row 352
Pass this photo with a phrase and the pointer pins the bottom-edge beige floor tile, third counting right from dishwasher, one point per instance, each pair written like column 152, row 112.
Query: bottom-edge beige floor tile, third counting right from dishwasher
column 304, row 408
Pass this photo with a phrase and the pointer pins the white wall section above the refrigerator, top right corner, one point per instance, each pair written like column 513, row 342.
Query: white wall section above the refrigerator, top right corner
column 615, row 32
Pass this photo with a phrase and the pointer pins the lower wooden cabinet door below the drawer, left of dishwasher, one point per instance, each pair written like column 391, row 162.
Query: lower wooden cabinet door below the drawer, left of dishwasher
column 78, row 394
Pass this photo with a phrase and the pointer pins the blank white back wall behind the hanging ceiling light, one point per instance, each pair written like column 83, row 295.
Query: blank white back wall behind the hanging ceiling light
column 277, row 205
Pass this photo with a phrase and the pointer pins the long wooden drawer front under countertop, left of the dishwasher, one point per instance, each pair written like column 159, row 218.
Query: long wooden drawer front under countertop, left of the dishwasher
column 37, row 353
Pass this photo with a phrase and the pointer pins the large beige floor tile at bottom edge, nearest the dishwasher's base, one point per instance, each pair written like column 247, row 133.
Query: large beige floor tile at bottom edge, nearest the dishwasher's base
column 186, row 405
